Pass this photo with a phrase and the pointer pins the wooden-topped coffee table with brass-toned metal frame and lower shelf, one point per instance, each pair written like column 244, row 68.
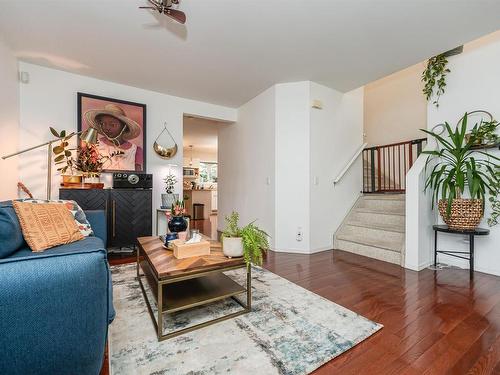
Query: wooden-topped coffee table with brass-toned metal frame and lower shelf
column 180, row 284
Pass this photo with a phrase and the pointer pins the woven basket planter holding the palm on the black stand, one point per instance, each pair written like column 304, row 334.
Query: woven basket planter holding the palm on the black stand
column 465, row 214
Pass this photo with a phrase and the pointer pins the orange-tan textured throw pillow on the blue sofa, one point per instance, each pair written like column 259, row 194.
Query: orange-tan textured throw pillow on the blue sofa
column 45, row 225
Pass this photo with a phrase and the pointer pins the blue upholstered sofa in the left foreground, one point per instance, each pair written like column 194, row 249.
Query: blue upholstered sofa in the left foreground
column 55, row 306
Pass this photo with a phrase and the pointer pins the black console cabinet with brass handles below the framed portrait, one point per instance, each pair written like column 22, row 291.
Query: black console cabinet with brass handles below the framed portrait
column 128, row 211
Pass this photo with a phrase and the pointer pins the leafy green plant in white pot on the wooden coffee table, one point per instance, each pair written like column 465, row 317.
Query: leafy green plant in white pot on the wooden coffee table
column 250, row 241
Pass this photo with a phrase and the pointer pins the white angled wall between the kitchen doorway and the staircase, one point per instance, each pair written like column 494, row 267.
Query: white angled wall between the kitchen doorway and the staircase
column 269, row 159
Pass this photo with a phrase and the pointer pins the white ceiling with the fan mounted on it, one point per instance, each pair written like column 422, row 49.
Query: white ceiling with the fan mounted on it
column 231, row 50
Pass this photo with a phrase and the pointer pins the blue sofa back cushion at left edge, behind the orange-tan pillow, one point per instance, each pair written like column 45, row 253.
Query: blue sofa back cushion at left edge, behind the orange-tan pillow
column 11, row 236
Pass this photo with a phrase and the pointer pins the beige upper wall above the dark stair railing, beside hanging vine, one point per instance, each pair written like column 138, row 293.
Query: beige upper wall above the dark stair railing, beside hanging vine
column 394, row 107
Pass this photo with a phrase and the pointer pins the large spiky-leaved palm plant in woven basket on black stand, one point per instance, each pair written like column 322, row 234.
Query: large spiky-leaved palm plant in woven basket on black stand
column 458, row 179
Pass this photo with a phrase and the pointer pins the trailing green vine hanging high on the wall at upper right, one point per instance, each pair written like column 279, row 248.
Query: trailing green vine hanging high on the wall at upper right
column 434, row 75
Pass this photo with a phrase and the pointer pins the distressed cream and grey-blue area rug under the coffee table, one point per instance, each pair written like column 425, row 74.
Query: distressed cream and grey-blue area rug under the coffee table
column 289, row 331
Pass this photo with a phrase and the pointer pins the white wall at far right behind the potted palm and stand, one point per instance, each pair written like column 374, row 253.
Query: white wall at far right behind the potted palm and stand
column 472, row 84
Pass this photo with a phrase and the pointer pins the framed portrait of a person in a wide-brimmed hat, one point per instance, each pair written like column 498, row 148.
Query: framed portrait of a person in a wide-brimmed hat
column 121, row 128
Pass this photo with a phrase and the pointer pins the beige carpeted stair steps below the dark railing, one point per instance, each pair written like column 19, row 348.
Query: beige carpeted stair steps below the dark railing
column 375, row 228
